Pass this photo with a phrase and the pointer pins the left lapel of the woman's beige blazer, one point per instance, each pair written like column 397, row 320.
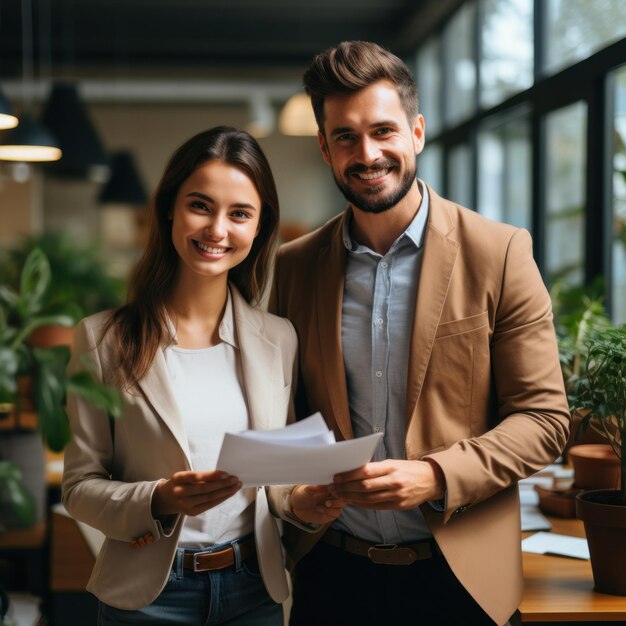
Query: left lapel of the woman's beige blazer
column 158, row 391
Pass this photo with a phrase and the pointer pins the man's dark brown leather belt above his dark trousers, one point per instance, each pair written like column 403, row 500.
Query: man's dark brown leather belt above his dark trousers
column 382, row 553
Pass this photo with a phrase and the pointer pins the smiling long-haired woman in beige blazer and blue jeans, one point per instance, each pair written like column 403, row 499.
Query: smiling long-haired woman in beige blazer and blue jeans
column 185, row 544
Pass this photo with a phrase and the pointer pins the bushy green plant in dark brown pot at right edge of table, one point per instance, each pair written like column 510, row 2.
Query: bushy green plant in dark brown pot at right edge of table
column 598, row 397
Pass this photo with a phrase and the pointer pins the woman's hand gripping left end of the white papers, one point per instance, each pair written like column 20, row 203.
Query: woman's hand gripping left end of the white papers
column 192, row 493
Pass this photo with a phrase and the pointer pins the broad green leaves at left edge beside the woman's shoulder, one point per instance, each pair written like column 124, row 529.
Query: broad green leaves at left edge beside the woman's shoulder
column 22, row 311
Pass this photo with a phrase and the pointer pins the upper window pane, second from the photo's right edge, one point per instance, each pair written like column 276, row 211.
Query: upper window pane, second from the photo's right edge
column 506, row 65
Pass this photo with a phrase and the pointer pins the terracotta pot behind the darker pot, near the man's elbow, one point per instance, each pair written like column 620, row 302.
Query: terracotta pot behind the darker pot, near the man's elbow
column 596, row 466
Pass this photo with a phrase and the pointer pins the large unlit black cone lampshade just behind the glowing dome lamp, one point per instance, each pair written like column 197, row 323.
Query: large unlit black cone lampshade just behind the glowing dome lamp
column 66, row 116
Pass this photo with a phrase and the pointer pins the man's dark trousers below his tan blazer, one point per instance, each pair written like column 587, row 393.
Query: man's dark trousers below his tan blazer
column 332, row 587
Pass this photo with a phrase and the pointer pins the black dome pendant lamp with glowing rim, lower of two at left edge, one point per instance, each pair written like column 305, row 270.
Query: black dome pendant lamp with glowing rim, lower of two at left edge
column 28, row 142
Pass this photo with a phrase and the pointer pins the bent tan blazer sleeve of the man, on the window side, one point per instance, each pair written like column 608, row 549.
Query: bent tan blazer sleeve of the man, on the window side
column 532, row 412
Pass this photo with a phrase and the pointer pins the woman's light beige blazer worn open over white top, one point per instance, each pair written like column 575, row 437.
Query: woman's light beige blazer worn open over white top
column 109, row 485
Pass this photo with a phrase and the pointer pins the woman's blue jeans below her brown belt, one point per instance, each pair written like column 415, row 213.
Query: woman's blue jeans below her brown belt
column 234, row 595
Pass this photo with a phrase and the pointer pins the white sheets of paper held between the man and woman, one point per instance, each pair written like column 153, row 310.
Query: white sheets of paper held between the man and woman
column 304, row 453
